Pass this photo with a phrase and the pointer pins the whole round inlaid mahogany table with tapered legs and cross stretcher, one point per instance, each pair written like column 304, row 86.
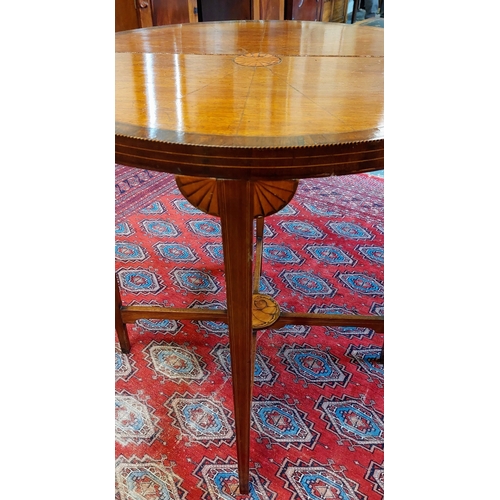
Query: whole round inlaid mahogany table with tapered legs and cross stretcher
column 240, row 111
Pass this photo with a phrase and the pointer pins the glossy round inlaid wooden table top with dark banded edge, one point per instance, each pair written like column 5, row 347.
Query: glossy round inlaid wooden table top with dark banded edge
column 251, row 99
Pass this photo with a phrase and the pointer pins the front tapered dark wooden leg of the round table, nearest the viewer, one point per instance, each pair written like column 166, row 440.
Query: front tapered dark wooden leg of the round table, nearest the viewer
column 236, row 212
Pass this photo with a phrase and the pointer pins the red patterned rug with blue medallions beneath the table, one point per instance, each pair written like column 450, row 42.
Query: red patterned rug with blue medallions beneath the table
column 317, row 416
